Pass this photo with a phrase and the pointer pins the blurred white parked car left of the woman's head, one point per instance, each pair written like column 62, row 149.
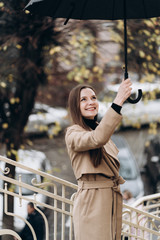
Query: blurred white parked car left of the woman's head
column 46, row 120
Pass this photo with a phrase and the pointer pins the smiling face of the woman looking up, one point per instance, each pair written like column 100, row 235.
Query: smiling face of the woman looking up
column 88, row 103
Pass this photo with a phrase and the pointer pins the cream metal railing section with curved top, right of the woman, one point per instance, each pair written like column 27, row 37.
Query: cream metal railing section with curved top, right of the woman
column 141, row 221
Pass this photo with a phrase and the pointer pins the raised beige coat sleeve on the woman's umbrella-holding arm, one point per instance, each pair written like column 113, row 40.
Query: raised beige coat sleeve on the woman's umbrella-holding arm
column 79, row 139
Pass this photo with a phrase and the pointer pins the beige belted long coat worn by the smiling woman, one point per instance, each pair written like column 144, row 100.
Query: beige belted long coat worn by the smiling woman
column 98, row 202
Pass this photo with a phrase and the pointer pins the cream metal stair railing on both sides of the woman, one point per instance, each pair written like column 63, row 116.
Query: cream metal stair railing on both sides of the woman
column 62, row 204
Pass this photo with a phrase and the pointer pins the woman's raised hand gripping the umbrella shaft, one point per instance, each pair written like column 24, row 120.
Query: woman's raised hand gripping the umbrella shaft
column 124, row 92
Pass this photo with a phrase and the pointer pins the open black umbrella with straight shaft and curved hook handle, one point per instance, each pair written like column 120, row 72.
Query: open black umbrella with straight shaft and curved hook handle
column 98, row 9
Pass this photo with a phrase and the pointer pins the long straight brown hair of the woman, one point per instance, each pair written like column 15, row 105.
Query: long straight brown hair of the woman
column 74, row 109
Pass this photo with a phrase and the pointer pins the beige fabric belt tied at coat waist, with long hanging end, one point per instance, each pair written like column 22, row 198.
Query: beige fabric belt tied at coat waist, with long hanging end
column 112, row 183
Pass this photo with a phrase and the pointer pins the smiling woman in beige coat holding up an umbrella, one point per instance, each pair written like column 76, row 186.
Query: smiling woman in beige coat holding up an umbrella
column 97, row 211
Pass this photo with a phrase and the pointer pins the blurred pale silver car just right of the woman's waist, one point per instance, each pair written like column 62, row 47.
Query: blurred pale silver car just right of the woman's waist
column 128, row 168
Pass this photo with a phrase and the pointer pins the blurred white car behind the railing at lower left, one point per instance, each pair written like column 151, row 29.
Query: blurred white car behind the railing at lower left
column 38, row 161
